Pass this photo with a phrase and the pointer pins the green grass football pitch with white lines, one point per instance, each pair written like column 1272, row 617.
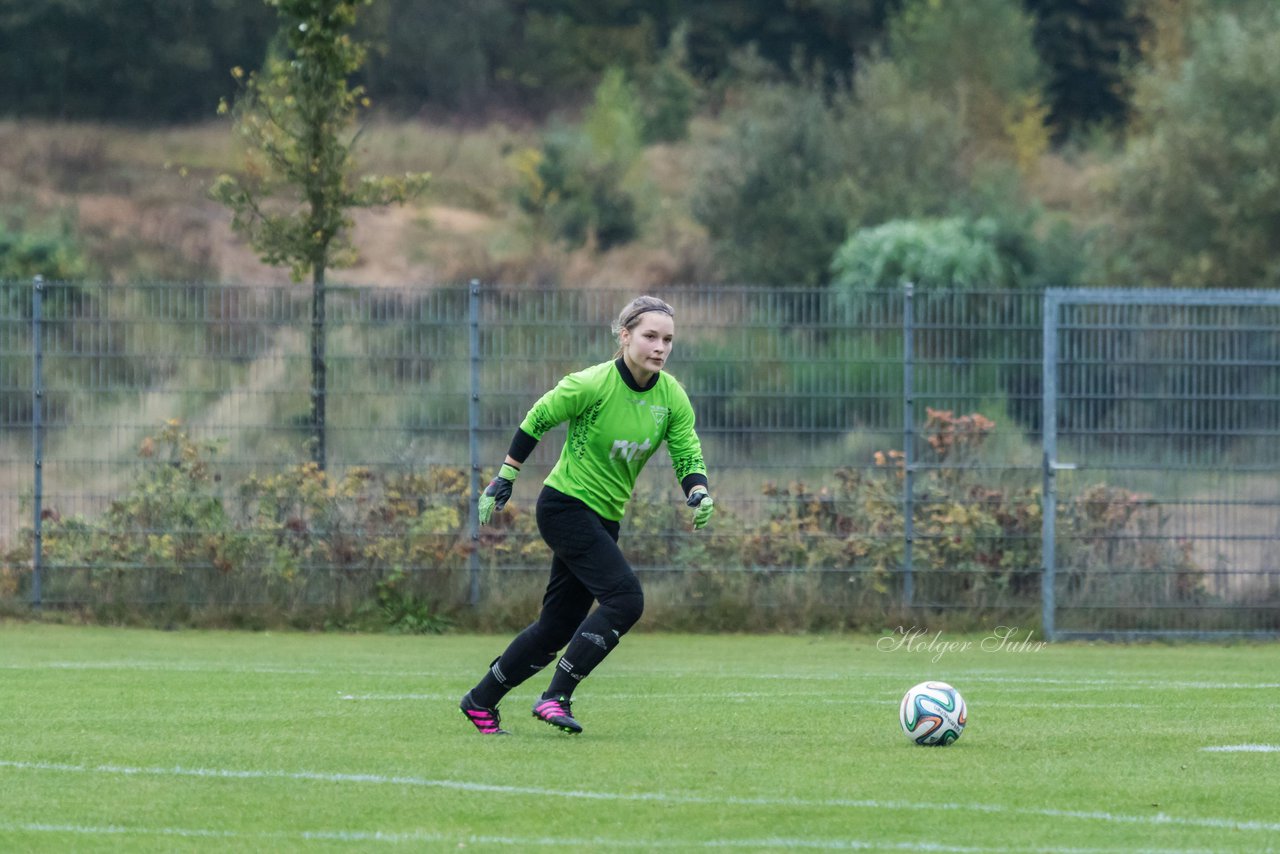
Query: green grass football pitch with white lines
column 141, row 741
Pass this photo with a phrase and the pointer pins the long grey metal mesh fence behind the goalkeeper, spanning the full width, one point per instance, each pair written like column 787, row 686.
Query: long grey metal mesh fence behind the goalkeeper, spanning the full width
column 875, row 456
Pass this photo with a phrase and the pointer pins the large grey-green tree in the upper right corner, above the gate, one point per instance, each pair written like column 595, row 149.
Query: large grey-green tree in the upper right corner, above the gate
column 1197, row 193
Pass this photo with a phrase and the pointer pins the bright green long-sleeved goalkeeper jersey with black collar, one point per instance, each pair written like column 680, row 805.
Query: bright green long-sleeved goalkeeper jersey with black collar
column 614, row 430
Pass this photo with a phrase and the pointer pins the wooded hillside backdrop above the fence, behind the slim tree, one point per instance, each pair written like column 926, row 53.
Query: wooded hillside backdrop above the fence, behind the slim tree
column 996, row 144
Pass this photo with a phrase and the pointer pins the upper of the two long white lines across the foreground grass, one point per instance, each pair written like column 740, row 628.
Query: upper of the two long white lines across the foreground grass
column 651, row 797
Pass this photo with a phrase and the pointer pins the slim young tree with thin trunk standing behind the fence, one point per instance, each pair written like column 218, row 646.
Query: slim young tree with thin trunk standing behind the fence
column 294, row 198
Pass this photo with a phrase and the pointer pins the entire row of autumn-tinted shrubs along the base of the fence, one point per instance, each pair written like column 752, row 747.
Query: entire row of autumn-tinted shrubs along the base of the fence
column 392, row 552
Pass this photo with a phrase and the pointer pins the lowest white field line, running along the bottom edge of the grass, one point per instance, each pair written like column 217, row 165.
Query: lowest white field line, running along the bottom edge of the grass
column 543, row 842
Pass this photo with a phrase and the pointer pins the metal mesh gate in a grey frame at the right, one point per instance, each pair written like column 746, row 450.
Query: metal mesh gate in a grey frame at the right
column 1165, row 409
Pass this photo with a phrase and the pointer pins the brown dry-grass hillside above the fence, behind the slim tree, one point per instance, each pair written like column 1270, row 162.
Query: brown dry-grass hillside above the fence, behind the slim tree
column 136, row 198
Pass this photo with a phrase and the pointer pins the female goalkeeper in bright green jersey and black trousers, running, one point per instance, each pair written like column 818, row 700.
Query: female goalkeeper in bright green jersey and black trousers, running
column 619, row 413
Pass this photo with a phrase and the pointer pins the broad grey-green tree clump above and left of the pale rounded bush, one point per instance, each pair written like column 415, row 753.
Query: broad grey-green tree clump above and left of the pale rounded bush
column 797, row 168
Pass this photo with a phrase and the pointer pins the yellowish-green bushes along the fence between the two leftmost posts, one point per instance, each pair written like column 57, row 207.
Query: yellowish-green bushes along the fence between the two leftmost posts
column 292, row 544
